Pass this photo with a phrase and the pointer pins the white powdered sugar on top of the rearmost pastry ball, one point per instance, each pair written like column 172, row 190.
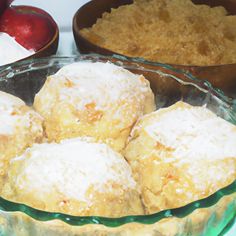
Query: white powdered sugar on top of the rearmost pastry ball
column 100, row 83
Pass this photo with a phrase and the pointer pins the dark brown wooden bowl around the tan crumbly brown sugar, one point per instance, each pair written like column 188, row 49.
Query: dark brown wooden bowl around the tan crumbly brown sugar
column 220, row 76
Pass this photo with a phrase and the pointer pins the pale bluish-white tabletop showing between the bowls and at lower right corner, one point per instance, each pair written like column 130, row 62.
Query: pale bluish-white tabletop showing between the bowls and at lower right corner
column 67, row 45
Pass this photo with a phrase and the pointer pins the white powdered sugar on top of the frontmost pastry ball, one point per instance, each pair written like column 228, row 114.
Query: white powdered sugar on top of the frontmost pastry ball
column 71, row 168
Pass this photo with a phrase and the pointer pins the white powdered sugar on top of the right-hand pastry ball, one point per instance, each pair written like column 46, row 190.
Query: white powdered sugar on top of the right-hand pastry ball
column 194, row 133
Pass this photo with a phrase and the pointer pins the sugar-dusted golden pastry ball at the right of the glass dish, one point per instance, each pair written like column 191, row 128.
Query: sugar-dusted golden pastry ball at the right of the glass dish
column 181, row 154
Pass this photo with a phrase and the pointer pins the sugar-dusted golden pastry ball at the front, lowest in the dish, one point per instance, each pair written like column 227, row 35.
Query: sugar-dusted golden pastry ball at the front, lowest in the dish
column 76, row 177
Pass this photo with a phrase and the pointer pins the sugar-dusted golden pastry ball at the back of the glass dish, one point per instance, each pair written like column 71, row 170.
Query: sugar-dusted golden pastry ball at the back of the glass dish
column 100, row 100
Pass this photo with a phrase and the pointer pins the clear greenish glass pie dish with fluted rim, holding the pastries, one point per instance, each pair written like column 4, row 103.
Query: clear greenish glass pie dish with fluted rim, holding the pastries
column 208, row 216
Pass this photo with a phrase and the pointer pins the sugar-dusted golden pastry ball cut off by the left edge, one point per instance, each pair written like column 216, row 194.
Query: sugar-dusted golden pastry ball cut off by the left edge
column 20, row 127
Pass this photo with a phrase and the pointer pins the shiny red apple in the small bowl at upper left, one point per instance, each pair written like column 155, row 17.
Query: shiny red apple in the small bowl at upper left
column 31, row 27
